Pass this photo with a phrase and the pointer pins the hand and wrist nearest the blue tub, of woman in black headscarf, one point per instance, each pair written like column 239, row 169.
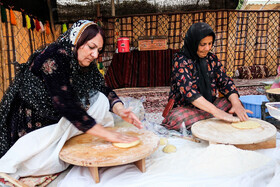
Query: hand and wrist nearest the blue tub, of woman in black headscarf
column 237, row 108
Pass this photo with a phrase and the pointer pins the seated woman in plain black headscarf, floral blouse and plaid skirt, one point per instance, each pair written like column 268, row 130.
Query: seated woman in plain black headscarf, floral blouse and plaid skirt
column 197, row 75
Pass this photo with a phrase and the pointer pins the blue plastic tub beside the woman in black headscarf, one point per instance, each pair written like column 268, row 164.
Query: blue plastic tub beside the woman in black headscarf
column 253, row 103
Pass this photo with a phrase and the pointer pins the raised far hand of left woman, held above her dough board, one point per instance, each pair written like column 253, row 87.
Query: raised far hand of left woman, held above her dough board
column 127, row 115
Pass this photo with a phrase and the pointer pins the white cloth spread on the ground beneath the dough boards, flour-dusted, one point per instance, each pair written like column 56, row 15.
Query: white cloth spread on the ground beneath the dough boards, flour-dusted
column 193, row 165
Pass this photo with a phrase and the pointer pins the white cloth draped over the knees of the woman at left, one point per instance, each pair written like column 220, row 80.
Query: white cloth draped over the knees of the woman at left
column 37, row 153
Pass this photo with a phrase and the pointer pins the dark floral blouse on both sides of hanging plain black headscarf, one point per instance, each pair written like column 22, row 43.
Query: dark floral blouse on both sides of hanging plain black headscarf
column 184, row 87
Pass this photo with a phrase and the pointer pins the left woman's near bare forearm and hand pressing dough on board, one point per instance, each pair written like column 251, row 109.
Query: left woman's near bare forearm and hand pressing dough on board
column 110, row 135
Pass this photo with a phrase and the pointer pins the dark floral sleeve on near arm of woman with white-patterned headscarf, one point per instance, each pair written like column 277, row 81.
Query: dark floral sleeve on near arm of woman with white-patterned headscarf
column 52, row 65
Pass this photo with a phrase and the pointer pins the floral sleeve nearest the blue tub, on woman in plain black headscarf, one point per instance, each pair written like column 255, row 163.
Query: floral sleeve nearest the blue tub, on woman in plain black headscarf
column 225, row 84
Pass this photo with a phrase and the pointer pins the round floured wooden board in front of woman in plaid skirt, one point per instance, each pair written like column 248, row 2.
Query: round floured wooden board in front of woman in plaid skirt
column 220, row 132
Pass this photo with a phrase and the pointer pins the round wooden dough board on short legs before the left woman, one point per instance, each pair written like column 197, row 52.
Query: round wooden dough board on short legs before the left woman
column 93, row 152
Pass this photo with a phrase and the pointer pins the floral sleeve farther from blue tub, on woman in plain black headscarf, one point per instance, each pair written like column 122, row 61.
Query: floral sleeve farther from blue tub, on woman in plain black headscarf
column 182, row 71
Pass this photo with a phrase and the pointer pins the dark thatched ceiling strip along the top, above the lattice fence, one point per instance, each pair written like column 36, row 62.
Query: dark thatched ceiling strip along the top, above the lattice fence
column 71, row 13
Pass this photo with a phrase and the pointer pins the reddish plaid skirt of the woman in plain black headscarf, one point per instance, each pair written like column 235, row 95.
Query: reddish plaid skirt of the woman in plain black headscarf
column 190, row 115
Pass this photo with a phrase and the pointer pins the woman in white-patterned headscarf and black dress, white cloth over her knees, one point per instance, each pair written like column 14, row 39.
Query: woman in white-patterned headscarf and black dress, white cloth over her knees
column 47, row 103
